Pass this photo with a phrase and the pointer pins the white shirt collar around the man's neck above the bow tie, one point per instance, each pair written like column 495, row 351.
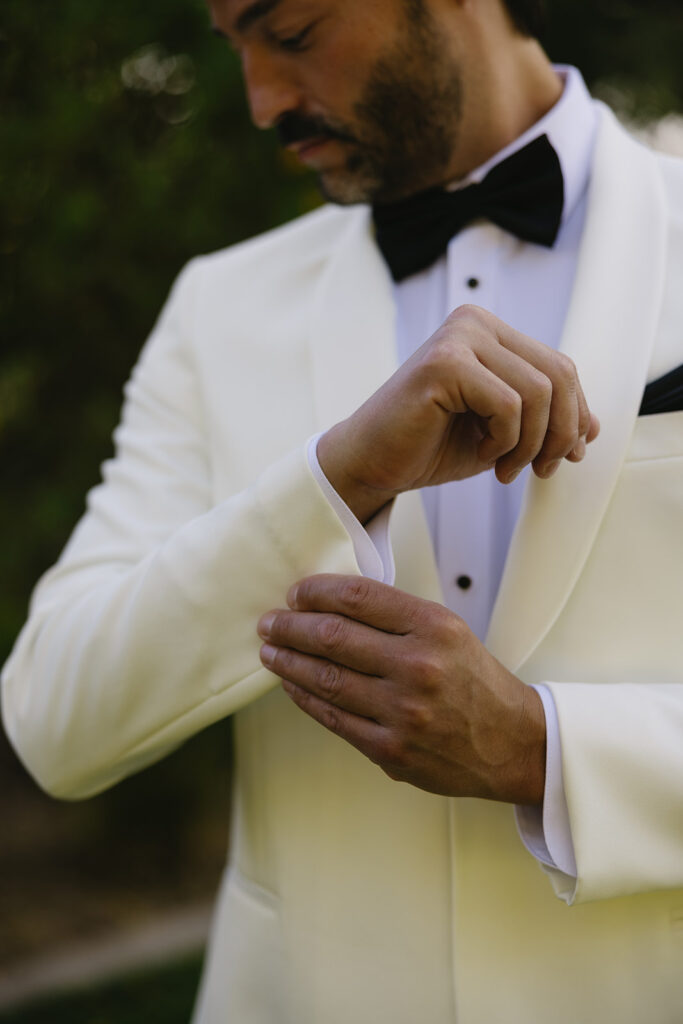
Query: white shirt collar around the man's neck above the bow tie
column 571, row 126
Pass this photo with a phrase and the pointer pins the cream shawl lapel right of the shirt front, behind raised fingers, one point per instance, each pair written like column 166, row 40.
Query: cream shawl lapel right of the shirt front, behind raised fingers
column 610, row 334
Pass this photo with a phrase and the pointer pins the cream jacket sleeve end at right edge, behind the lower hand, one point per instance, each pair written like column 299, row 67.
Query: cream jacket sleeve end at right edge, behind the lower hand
column 623, row 765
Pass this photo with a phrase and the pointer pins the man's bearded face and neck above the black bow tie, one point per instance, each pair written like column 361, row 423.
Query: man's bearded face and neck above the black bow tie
column 441, row 71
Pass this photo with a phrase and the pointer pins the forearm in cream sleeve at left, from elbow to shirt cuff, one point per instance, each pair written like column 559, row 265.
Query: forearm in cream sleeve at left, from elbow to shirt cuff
column 119, row 664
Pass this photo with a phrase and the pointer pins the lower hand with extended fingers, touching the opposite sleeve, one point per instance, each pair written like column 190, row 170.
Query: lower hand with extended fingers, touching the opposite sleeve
column 408, row 684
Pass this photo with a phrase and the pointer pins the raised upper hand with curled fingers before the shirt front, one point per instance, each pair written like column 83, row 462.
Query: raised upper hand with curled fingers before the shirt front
column 476, row 396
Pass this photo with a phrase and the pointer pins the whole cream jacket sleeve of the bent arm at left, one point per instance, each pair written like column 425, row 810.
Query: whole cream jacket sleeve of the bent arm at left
column 145, row 632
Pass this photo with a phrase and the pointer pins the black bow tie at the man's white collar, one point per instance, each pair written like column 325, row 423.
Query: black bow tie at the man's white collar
column 525, row 195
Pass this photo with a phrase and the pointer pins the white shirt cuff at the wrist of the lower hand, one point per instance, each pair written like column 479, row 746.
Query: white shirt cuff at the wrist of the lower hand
column 546, row 832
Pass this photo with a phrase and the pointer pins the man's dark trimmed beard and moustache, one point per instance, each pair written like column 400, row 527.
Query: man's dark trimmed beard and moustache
column 406, row 122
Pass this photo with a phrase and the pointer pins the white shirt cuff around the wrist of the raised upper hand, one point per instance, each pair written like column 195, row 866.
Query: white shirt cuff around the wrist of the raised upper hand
column 371, row 543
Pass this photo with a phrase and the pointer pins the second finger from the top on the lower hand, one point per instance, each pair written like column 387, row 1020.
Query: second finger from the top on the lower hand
column 326, row 635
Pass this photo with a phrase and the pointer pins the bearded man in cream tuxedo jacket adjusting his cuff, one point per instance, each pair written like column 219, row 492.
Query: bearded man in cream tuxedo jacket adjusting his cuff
column 352, row 895
